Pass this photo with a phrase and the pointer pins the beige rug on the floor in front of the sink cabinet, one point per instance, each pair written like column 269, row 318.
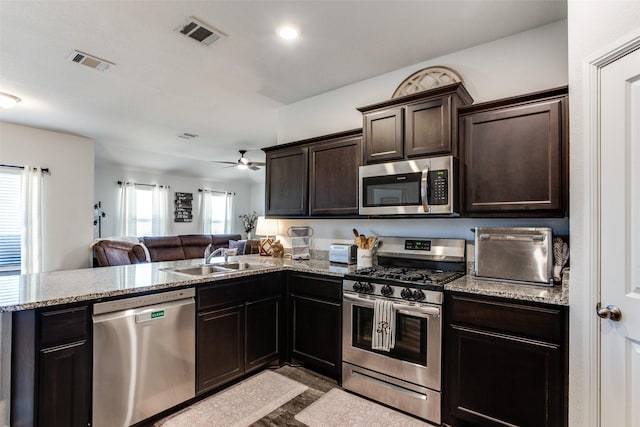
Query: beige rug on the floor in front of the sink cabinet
column 239, row 405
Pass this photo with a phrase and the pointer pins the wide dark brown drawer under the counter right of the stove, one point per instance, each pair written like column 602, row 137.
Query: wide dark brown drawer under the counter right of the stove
column 545, row 323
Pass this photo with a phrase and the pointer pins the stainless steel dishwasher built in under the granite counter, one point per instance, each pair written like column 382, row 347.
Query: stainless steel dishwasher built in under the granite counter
column 143, row 356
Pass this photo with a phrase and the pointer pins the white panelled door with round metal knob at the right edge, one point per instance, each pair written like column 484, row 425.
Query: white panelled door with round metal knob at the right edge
column 620, row 241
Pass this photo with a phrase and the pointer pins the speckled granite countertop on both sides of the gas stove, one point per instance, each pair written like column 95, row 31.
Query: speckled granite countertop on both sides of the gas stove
column 26, row 292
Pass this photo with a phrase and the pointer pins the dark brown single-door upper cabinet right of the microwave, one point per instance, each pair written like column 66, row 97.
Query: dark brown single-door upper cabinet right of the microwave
column 515, row 156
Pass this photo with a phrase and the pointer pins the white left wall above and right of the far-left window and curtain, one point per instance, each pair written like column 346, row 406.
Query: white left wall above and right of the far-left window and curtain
column 68, row 189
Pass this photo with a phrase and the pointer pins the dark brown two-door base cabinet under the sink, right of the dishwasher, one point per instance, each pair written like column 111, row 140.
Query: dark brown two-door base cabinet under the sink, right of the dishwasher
column 238, row 329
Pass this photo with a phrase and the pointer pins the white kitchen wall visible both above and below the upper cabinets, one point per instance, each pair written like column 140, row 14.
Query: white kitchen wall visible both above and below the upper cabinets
column 526, row 62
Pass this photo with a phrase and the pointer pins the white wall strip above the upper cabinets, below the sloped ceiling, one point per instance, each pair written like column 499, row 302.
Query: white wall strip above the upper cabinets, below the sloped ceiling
column 522, row 63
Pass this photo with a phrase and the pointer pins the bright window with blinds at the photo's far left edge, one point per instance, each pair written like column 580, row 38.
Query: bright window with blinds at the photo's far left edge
column 10, row 222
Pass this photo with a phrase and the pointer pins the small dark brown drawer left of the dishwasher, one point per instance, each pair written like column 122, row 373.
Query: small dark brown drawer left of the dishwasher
column 63, row 326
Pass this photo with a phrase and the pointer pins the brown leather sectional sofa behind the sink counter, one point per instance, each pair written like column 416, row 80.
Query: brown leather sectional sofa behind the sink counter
column 164, row 248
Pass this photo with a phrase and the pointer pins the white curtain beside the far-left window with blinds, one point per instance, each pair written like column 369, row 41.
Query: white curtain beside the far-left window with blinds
column 32, row 259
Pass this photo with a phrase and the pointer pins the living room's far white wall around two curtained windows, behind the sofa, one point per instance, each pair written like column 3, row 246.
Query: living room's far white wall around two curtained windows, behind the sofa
column 107, row 192
